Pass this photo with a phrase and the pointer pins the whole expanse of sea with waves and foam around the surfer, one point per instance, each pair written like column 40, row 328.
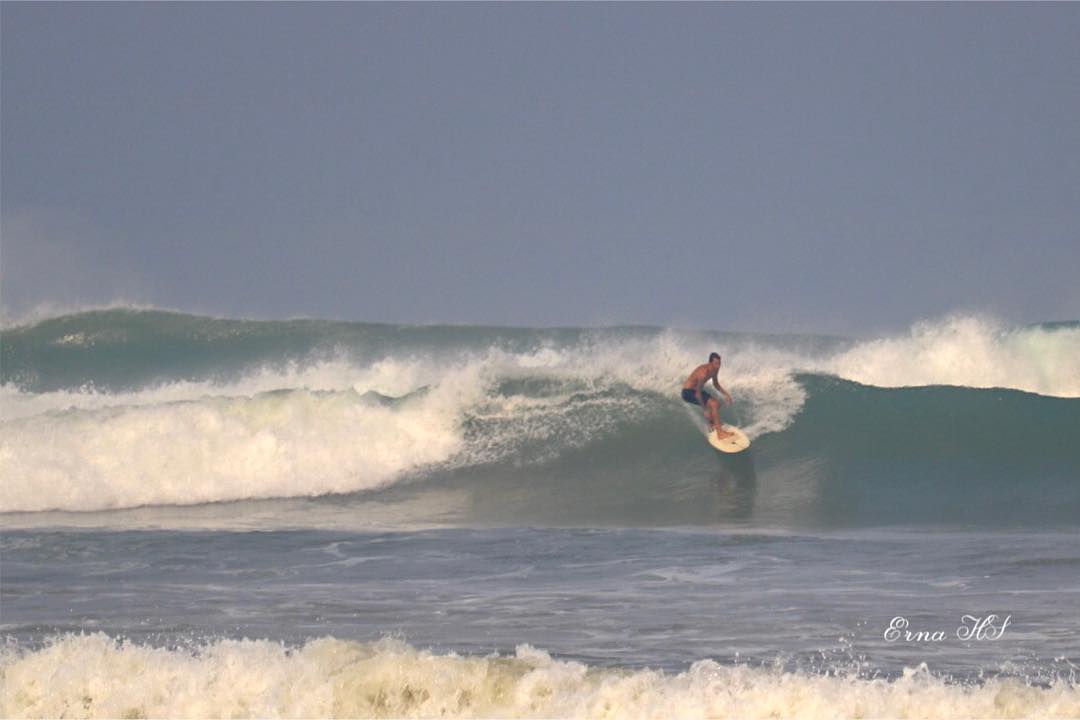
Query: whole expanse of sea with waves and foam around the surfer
column 209, row 518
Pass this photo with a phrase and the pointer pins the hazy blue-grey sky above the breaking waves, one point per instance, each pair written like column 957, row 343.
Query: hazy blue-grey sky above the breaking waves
column 847, row 168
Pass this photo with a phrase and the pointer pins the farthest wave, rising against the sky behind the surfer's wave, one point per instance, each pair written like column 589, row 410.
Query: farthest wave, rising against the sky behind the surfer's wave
column 129, row 350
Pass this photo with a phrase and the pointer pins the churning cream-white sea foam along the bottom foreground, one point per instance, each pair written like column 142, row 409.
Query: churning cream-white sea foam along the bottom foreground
column 96, row 677
